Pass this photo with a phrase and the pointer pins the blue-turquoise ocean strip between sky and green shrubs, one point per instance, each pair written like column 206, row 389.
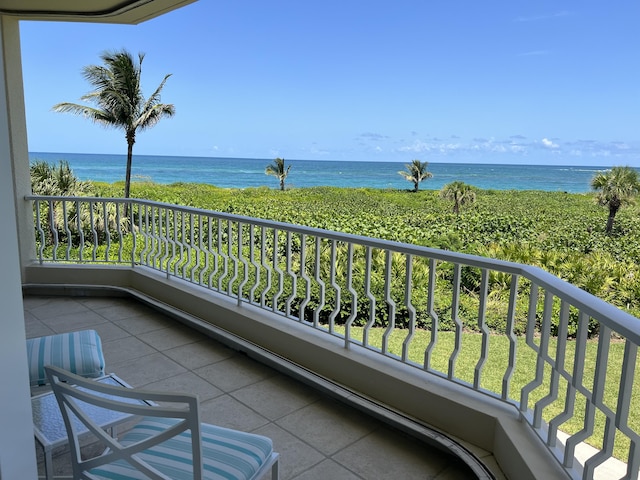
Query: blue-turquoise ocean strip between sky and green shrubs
column 249, row 172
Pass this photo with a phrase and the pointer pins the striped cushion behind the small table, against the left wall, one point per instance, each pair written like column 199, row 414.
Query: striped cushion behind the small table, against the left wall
column 77, row 352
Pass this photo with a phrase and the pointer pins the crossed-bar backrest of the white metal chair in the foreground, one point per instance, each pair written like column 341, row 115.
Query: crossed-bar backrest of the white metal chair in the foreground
column 83, row 402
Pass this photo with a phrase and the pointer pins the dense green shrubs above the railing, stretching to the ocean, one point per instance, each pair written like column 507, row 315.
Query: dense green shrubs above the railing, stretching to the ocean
column 559, row 232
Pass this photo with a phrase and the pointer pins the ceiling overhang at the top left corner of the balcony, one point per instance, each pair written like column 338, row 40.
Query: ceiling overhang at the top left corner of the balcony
column 104, row 11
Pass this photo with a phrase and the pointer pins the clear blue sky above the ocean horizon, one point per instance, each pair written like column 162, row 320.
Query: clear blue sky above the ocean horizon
column 545, row 82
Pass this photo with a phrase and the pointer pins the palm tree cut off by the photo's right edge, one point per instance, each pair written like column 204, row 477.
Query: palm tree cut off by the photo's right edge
column 615, row 187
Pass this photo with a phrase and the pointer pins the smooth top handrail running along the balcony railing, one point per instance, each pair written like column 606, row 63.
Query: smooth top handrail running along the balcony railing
column 611, row 316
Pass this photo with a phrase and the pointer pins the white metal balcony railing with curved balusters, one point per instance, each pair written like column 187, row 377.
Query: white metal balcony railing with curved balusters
column 570, row 357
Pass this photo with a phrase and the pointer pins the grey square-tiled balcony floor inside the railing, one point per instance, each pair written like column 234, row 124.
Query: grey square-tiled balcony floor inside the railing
column 317, row 437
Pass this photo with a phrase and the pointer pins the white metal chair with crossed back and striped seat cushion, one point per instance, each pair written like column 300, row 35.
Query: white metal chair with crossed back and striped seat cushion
column 167, row 443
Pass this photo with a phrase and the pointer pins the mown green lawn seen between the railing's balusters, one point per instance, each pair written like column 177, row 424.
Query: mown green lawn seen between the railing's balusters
column 525, row 369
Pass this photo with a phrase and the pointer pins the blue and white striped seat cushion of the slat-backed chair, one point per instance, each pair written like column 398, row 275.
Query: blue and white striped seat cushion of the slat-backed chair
column 226, row 454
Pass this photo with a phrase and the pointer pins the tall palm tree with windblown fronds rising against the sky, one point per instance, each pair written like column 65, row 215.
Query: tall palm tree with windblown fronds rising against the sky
column 119, row 100
